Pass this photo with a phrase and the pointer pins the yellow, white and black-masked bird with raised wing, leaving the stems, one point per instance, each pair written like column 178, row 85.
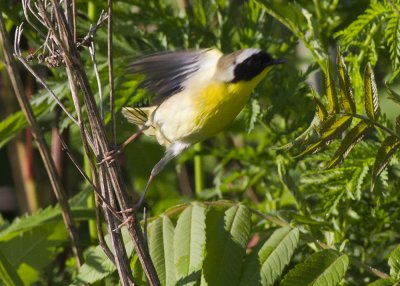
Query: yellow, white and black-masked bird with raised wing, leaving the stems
column 197, row 94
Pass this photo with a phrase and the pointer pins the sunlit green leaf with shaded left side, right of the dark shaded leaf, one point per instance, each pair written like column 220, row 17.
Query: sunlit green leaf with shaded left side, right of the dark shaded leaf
column 264, row 266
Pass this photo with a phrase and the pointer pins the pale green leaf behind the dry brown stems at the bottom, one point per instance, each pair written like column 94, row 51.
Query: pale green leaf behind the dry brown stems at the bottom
column 97, row 265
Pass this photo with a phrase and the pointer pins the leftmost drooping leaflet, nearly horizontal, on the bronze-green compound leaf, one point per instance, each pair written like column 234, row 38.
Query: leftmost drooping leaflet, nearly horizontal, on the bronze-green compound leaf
column 334, row 130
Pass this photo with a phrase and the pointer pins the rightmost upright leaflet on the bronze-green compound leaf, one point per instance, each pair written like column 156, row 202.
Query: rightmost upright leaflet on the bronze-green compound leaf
column 371, row 100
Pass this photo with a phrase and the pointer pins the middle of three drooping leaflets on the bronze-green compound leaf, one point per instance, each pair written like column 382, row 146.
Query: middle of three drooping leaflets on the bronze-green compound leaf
column 349, row 141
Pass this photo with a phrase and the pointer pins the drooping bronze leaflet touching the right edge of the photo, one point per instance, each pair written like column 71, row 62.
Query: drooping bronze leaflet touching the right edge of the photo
column 386, row 151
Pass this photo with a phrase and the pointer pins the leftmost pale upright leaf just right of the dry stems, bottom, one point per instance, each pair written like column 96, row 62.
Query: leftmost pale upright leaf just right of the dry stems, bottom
column 161, row 234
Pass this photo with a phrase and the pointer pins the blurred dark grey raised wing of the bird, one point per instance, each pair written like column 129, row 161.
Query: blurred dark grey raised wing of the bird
column 166, row 72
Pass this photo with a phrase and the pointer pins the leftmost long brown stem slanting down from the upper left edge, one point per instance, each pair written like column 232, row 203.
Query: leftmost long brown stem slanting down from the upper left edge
column 42, row 145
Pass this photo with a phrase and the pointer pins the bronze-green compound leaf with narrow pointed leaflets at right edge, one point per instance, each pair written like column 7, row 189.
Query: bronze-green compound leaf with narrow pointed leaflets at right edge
column 335, row 121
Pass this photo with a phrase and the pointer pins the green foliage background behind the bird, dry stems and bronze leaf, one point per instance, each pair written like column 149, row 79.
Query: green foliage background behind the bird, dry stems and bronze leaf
column 286, row 204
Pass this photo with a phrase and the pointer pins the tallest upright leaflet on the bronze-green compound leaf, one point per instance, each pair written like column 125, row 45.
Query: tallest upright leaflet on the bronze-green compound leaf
column 345, row 91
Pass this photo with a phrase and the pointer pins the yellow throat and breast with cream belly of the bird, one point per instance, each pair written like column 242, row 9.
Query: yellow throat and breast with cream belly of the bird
column 196, row 114
